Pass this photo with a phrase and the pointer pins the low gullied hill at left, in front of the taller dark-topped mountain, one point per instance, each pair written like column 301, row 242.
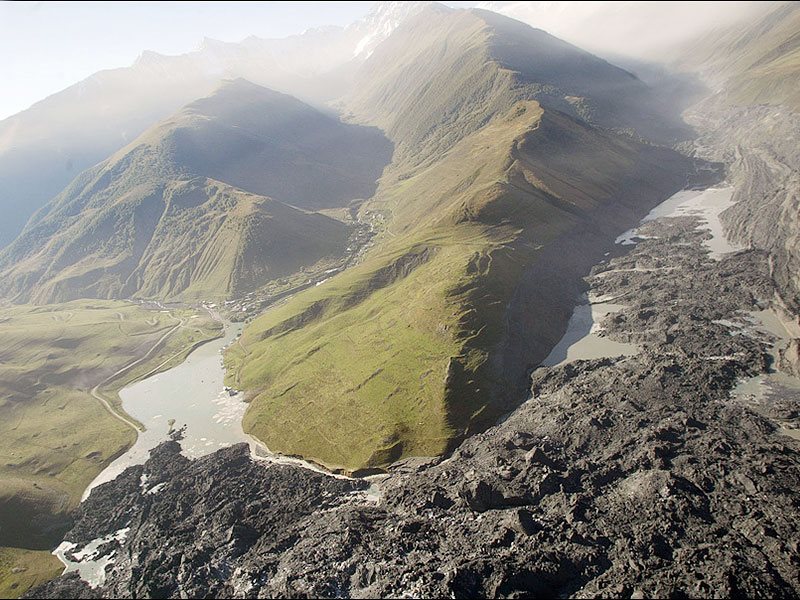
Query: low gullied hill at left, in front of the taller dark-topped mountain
column 190, row 239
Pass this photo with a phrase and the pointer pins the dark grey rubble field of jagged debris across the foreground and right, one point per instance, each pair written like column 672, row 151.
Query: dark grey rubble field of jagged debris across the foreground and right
column 620, row 477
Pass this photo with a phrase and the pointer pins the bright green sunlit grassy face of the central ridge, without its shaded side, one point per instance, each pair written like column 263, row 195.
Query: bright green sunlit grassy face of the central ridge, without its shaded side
column 352, row 373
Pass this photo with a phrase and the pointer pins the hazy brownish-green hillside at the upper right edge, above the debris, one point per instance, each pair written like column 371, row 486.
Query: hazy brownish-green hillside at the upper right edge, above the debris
column 752, row 123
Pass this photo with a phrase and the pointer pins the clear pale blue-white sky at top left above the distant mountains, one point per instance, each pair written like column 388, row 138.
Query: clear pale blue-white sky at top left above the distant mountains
column 47, row 46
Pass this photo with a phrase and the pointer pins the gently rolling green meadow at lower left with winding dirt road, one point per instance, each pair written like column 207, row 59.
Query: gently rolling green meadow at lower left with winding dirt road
column 54, row 436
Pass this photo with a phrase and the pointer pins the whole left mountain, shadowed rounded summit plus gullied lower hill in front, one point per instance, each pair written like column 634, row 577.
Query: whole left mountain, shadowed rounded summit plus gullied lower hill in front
column 183, row 212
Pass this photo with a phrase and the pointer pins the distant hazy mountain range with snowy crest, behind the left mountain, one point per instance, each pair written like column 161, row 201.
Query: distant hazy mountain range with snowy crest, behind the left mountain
column 43, row 148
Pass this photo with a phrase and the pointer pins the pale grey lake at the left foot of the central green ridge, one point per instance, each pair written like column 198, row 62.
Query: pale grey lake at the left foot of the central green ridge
column 193, row 395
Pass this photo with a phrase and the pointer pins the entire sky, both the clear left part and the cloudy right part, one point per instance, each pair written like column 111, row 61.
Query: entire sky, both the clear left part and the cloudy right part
column 47, row 46
